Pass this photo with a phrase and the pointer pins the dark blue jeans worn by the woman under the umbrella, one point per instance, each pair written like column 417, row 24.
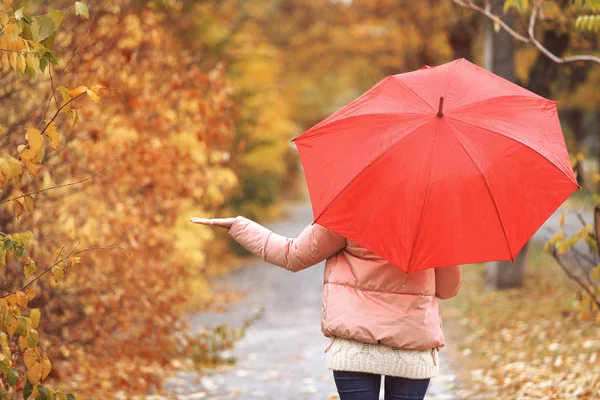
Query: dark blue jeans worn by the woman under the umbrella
column 363, row 386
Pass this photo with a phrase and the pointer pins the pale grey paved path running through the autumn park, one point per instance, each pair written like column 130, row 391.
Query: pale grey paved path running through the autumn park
column 281, row 356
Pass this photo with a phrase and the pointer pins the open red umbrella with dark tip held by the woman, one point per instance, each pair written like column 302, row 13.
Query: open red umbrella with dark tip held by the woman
column 441, row 166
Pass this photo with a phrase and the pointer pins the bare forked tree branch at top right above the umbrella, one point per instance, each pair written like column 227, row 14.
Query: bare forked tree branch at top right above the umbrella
column 530, row 39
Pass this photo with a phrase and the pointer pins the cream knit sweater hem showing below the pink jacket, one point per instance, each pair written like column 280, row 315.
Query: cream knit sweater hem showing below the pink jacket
column 350, row 355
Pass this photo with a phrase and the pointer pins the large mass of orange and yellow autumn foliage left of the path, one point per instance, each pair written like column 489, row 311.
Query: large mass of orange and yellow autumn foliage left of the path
column 152, row 152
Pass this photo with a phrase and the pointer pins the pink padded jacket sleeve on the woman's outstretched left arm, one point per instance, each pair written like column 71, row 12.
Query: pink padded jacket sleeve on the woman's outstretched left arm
column 315, row 244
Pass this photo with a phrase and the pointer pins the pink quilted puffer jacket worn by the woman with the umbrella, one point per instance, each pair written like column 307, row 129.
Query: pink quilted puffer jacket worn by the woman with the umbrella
column 365, row 298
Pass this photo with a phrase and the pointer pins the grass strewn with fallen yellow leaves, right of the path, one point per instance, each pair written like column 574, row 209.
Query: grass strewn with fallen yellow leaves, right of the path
column 526, row 343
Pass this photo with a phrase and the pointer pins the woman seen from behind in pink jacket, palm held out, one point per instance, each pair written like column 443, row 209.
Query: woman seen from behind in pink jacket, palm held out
column 381, row 321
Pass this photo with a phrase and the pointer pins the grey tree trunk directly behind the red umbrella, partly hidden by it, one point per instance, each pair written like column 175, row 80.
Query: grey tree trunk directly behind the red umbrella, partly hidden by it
column 499, row 57
